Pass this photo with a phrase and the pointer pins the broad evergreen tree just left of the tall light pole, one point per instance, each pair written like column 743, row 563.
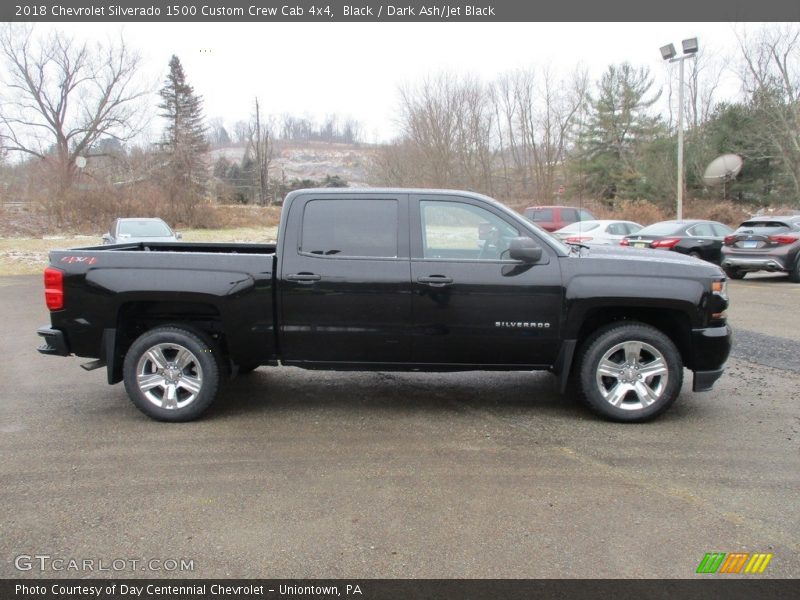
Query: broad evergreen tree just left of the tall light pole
column 619, row 127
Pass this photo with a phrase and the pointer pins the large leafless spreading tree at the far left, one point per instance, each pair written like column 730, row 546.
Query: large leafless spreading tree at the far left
column 61, row 97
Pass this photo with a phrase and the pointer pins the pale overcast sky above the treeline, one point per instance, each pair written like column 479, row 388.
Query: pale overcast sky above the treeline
column 354, row 69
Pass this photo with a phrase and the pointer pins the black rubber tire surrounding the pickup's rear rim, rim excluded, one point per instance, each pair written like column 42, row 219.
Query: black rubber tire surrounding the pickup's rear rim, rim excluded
column 207, row 357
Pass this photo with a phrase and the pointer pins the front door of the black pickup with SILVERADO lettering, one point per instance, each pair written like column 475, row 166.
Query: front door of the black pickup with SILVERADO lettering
column 472, row 305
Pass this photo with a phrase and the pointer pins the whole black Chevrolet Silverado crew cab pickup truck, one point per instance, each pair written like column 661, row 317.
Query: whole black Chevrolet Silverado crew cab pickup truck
column 390, row 279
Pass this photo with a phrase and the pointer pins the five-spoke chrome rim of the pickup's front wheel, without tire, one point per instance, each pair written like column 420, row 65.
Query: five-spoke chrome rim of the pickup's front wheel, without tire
column 632, row 375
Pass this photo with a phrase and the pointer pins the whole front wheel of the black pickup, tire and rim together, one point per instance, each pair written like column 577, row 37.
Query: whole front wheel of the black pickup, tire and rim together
column 630, row 372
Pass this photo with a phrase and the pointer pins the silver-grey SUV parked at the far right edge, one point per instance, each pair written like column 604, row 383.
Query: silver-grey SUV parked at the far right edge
column 764, row 244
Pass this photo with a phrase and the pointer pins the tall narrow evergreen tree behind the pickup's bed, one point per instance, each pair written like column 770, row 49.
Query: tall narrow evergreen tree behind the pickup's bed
column 184, row 142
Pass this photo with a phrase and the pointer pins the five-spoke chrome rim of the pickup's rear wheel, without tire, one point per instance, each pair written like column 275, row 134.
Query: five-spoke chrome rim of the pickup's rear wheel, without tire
column 169, row 376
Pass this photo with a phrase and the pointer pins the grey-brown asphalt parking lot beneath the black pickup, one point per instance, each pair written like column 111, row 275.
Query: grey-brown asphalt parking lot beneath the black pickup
column 372, row 475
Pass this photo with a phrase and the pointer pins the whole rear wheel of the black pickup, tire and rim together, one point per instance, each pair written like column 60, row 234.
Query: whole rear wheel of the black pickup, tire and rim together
column 171, row 374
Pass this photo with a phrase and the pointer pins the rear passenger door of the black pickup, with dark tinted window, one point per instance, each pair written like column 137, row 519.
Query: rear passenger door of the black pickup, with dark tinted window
column 345, row 293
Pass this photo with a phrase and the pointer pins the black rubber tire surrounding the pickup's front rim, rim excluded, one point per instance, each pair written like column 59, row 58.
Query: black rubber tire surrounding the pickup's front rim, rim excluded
column 605, row 338
